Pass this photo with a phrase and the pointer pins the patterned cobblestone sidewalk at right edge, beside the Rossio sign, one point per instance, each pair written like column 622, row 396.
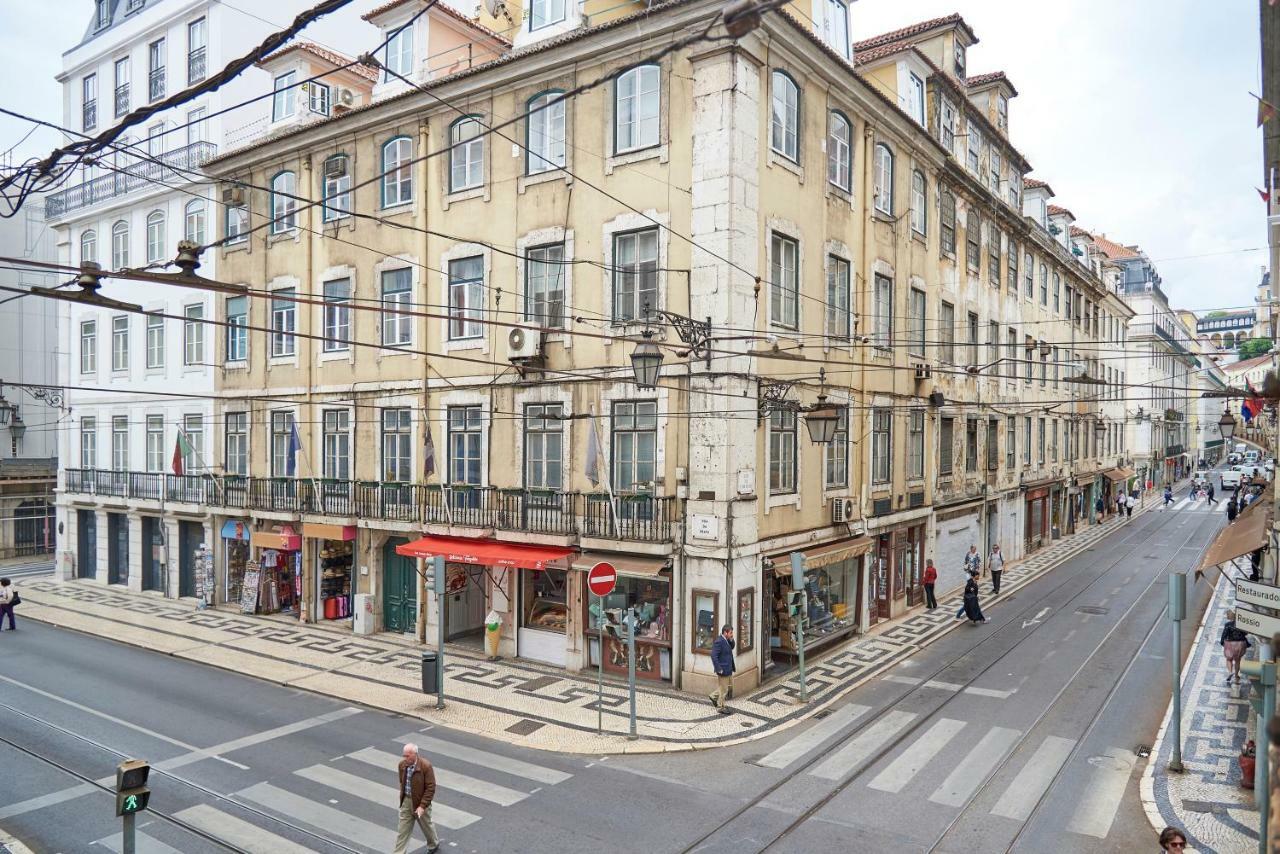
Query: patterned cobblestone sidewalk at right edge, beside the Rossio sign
column 1206, row 801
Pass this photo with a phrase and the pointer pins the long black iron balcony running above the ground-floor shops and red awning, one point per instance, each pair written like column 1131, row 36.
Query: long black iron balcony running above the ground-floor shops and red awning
column 628, row 517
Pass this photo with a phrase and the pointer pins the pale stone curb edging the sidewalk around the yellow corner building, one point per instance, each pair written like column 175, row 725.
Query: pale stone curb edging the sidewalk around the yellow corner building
column 651, row 747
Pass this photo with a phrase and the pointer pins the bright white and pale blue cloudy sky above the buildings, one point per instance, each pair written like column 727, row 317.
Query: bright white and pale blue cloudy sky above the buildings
column 1137, row 112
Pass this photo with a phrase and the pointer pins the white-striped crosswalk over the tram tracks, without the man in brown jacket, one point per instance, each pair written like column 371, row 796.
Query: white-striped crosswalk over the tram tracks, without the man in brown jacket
column 948, row 761
